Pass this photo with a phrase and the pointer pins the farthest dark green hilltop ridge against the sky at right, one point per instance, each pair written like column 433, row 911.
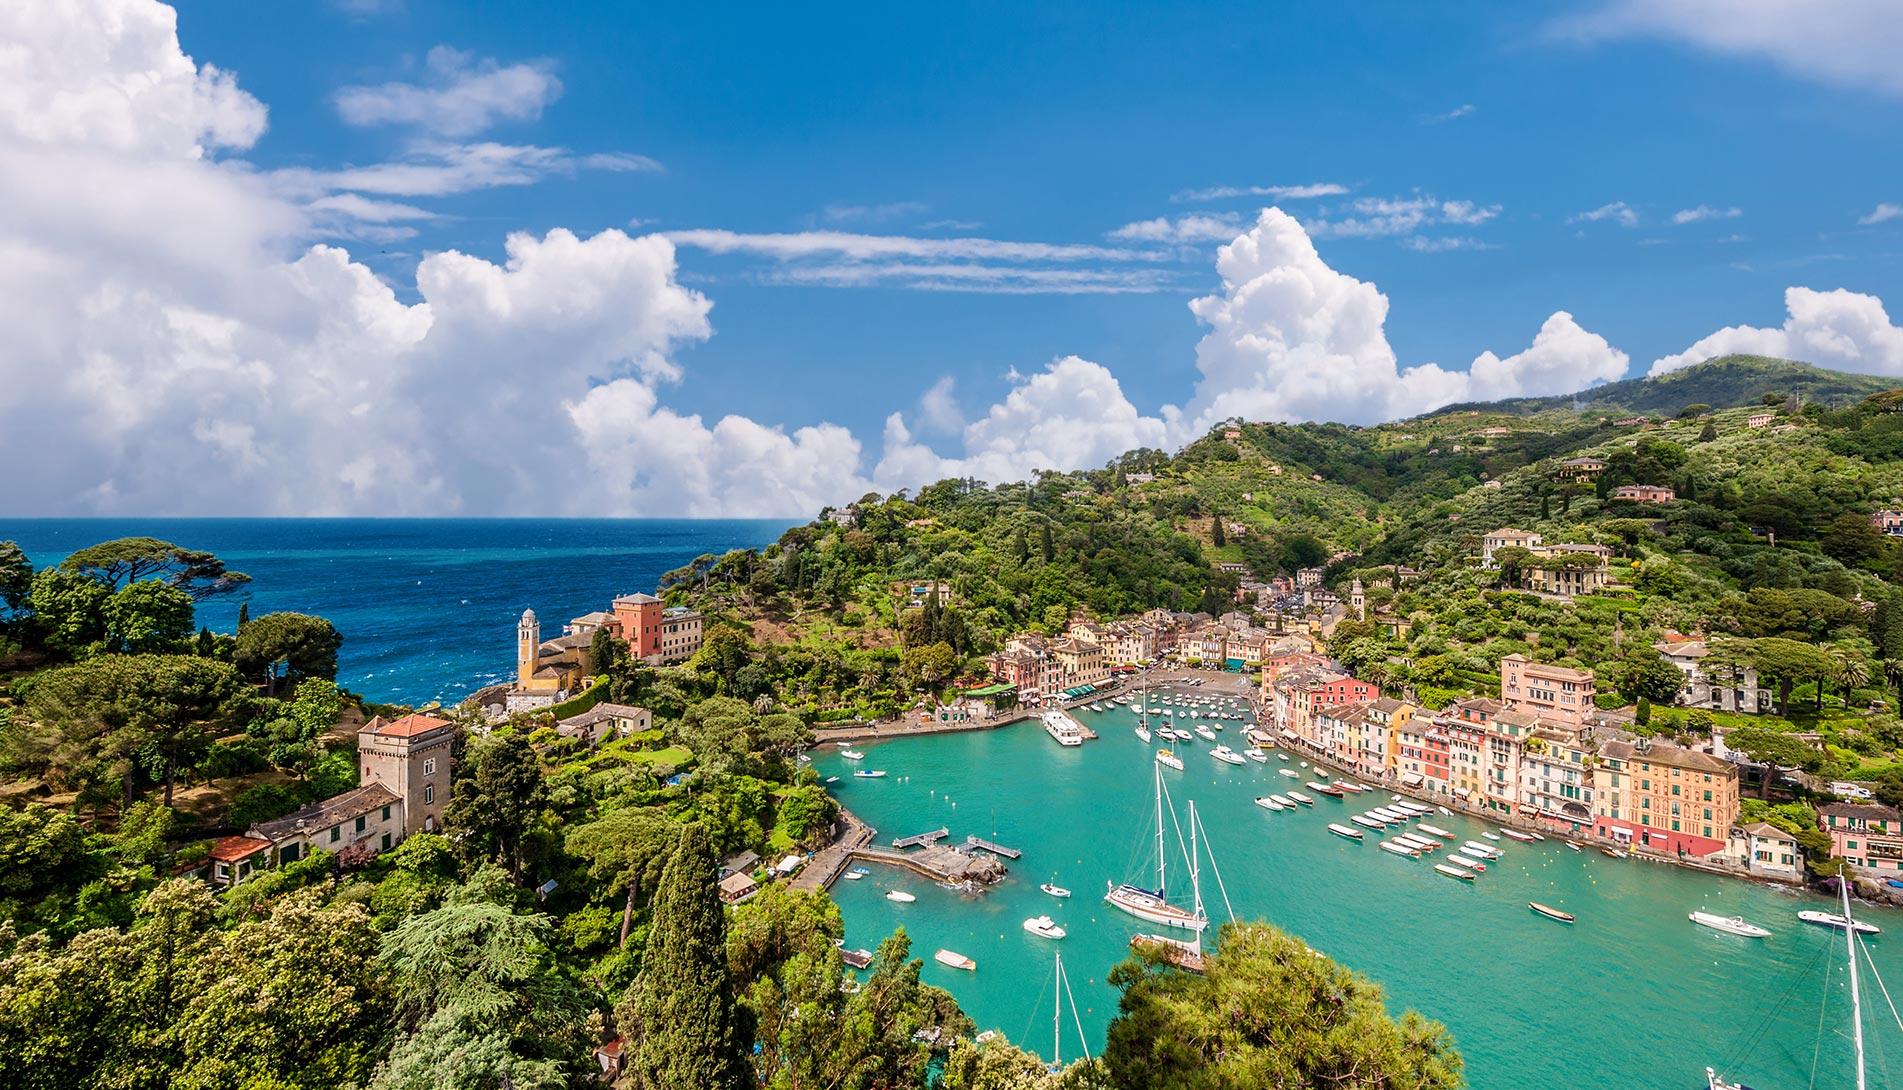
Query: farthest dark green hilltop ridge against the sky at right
column 1723, row 383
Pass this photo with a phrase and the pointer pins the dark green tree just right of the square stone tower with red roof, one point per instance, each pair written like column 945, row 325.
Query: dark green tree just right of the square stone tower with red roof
column 496, row 800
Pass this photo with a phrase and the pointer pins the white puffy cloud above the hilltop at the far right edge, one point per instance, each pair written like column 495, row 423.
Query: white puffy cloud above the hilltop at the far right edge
column 1839, row 330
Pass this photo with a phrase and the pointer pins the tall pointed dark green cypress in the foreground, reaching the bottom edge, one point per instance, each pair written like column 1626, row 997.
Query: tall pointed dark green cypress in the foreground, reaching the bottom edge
column 684, row 998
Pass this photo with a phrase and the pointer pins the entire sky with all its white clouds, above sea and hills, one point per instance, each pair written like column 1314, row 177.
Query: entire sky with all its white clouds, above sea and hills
column 397, row 258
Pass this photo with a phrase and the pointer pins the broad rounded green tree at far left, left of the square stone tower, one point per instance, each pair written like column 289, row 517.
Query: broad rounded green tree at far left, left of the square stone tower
column 134, row 712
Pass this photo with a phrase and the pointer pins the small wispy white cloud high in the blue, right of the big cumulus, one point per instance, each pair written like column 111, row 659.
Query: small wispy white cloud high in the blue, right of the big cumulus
column 460, row 96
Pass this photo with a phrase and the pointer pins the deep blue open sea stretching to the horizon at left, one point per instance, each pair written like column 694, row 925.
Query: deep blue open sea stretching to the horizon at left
column 427, row 608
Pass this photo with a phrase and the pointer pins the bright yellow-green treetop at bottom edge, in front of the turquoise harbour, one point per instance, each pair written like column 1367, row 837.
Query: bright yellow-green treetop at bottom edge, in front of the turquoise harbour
column 1266, row 1013
